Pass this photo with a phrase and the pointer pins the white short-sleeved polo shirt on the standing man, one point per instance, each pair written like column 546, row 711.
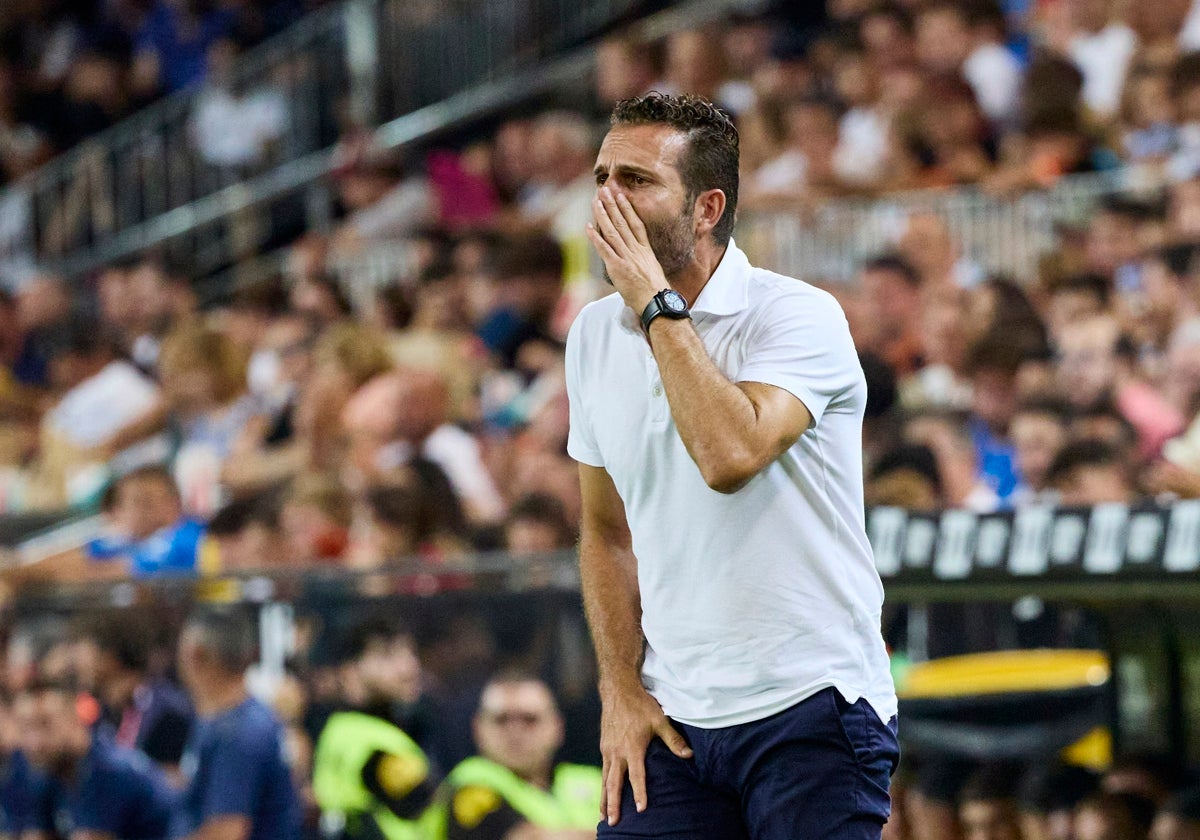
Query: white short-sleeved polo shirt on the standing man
column 753, row 601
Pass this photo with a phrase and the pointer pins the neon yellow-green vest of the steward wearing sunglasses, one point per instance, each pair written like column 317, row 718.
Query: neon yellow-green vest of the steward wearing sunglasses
column 573, row 801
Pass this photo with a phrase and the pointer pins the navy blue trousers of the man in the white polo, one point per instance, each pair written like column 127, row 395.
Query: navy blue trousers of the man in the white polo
column 819, row 771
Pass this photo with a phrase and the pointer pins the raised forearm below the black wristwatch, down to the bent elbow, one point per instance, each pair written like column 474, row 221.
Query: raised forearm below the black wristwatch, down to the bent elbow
column 716, row 419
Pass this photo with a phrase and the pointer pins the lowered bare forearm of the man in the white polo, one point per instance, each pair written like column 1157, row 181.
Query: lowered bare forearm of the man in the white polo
column 613, row 603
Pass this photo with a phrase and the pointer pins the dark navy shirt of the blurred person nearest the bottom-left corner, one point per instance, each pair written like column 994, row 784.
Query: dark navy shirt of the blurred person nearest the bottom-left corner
column 116, row 791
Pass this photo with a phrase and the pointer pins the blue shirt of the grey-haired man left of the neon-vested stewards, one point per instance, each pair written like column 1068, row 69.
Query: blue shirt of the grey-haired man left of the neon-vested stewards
column 236, row 766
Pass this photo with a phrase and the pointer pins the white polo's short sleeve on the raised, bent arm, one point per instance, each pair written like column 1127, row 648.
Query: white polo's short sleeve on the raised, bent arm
column 801, row 343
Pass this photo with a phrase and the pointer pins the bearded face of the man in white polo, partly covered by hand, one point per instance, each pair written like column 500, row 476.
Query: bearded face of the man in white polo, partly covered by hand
column 641, row 163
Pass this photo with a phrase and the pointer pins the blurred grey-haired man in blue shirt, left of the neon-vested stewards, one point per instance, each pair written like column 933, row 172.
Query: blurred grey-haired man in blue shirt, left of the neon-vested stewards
column 238, row 783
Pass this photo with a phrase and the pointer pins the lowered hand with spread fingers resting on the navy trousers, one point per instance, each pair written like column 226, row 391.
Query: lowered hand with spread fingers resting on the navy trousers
column 631, row 721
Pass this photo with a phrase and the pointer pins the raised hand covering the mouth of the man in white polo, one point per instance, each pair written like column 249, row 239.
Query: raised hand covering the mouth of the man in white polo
column 620, row 238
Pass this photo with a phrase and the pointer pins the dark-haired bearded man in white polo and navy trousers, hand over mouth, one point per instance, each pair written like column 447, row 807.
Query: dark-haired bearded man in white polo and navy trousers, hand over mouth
column 721, row 461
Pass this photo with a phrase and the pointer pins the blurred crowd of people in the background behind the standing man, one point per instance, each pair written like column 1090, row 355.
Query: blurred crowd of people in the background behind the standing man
column 305, row 421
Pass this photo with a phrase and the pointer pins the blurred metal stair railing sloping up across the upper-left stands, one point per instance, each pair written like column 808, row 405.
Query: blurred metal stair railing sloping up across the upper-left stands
column 137, row 185
